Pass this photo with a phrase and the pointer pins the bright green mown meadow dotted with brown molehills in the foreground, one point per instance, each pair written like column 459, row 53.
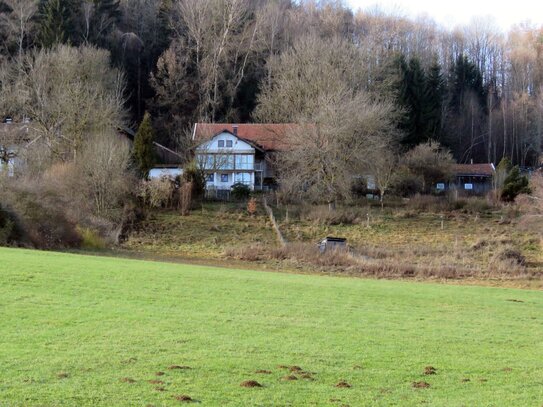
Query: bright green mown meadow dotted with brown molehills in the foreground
column 81, row 331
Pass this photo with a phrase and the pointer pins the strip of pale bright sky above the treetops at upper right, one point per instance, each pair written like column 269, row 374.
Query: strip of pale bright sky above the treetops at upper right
column 451, row 13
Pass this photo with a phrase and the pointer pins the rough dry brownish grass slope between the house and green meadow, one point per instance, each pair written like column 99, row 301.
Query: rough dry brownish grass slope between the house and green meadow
column 400, row 244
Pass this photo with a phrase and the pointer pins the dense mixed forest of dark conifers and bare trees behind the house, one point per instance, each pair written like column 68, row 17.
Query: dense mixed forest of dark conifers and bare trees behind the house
column 474, row 89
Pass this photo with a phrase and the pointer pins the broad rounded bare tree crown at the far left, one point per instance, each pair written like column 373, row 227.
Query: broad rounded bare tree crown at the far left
column 69, row 93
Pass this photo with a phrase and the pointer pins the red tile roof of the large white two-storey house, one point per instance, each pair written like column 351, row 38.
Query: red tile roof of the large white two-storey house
column 271, row 137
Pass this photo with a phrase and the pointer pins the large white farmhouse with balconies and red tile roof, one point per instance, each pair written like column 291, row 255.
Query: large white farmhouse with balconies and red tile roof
column 239, row 153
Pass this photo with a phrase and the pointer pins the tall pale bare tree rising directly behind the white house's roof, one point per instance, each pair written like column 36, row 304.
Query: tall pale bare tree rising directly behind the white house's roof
column 223, row 35
